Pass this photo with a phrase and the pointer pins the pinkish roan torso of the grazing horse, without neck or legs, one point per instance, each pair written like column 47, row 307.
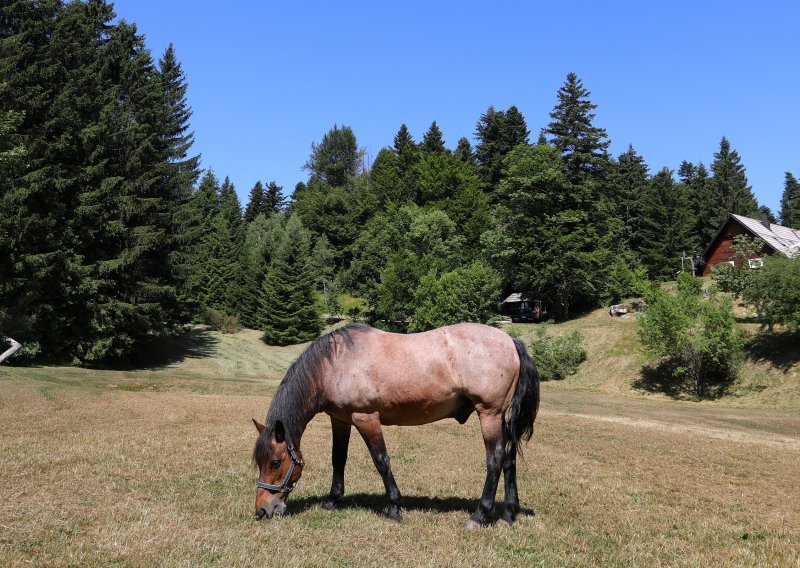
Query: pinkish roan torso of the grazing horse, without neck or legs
column 423, row 377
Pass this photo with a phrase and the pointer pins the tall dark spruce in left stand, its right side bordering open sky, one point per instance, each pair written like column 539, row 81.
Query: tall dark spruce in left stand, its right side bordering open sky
column 126, row 251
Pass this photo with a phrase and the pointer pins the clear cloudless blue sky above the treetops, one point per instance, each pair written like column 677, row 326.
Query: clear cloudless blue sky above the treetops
column 266, row 79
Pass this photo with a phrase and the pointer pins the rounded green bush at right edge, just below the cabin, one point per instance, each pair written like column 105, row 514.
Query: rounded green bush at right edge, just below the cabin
column 774, row 290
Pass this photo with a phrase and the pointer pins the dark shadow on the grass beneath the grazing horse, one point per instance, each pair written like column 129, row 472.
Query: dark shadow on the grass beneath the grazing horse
column 377, row 504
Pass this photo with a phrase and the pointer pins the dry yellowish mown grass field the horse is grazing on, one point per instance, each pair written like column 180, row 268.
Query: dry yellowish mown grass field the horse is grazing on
column 152, row 467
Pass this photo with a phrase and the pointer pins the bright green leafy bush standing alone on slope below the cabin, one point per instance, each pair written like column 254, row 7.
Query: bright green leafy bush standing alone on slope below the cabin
column 697, row 337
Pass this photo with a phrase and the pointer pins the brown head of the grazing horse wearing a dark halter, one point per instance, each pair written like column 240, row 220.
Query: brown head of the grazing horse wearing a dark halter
column 280, row 466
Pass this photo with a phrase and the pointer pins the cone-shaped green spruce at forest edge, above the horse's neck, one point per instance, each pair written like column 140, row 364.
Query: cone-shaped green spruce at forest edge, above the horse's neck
column 288, row 307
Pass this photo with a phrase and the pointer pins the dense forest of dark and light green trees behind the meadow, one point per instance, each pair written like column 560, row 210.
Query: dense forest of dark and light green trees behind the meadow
column 111, row 233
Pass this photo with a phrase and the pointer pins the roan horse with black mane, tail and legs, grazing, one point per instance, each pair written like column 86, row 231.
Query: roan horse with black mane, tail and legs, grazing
column 365, row 377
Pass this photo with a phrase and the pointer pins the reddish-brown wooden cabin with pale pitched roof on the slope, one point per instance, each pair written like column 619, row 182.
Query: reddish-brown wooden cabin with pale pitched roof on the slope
column 774, row 238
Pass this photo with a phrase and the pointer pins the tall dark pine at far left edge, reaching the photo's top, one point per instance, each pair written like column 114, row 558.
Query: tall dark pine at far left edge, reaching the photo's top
column 38, row 277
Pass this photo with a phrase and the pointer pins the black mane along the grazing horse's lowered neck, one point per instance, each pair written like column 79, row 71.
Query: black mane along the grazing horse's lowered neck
column 295, row 401
